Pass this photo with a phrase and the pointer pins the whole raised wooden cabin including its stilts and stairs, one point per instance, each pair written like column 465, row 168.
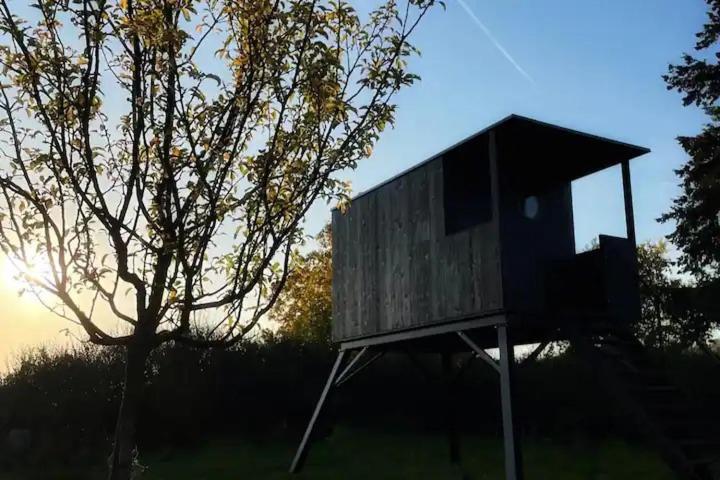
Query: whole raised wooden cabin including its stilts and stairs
column 474, row 249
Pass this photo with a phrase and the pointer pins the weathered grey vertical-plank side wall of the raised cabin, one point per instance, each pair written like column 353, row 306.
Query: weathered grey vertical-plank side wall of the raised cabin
column 394, row 268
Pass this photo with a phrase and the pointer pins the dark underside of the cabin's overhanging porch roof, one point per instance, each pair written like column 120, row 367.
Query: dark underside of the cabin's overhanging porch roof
column 542, row 154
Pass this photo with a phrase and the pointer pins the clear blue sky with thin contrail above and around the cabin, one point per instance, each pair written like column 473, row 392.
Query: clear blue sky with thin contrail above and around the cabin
column 594, row 65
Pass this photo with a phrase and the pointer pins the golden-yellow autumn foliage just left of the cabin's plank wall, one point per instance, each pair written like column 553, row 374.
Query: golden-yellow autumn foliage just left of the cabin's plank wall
column 304, row 309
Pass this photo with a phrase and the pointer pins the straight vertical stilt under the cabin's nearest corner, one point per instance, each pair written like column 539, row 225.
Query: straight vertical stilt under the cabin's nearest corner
column 513, row 458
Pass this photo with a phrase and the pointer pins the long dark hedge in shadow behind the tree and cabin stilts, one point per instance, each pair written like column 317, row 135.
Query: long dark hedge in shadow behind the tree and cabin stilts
column 68, row 399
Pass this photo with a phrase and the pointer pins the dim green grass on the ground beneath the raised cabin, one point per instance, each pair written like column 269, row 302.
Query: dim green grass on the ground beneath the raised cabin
column 353, row 454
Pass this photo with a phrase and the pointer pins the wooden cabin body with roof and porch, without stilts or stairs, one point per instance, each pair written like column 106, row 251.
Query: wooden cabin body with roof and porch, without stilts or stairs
column 483, row 230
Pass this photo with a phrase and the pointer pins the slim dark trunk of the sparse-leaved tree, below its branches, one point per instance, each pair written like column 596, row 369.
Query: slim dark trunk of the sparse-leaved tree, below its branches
column 121, row 460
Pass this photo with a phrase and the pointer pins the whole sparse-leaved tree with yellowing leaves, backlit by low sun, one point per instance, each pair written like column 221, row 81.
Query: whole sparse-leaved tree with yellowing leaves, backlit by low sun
column 158, row 156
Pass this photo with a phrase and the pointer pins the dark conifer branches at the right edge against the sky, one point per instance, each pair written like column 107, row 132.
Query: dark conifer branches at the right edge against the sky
column 696, row 211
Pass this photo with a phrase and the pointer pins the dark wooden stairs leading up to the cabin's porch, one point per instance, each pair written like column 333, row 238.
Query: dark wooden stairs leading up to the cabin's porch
column 665, row 413
